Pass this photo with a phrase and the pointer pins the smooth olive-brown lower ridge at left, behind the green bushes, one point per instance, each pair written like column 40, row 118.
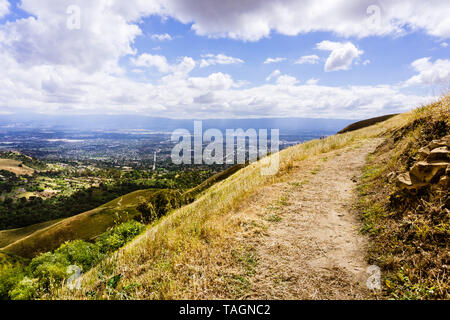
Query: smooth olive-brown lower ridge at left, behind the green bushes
column 32, row 240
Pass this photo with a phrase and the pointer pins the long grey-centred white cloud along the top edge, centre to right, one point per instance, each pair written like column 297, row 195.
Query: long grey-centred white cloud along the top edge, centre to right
column 256, row 19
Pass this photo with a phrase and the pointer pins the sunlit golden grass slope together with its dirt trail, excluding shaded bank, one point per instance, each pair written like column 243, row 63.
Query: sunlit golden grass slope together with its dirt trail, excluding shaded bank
column 254, row 236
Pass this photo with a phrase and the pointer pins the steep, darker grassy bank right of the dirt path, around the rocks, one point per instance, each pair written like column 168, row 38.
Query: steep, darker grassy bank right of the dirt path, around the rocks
column 410, row 229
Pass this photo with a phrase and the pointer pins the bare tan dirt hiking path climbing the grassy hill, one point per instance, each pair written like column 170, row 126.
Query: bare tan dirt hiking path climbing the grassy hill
column 311, row 247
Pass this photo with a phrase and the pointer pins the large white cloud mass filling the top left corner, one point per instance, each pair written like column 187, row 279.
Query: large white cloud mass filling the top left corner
column 107, row 31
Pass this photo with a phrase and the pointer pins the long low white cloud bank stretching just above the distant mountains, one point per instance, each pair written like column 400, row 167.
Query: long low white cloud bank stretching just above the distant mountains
column 56, row 89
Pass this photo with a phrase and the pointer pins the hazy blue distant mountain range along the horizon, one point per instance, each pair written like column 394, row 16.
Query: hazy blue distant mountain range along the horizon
column 129, row 122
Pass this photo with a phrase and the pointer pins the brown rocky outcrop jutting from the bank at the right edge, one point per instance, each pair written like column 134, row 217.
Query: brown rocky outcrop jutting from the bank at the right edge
column 432, row 167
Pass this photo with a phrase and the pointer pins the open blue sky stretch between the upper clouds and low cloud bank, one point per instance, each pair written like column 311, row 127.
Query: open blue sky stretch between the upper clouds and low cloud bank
column 390, row 58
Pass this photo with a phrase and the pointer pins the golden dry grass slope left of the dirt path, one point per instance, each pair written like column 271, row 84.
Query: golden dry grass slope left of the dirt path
column 179, row 256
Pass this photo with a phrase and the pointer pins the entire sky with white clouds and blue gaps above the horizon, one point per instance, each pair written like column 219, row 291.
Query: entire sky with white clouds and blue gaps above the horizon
column 223, row 58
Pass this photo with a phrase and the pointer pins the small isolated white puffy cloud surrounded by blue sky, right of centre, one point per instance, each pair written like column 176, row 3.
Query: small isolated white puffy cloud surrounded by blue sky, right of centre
column 342, row 55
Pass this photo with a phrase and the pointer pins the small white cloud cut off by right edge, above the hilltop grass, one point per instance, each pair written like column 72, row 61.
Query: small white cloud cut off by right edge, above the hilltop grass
column 430, row 73
